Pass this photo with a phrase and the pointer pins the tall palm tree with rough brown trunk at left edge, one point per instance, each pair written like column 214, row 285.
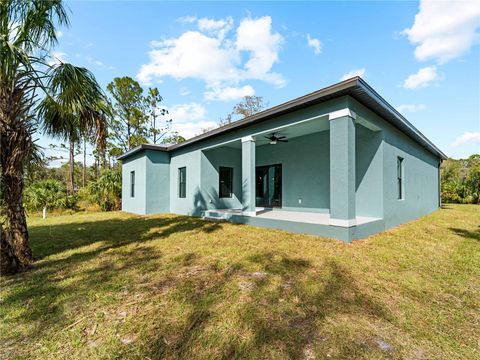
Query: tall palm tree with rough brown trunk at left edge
column 27, row 34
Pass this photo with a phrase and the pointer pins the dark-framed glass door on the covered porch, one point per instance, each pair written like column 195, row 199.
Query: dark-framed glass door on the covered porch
column 269, row 186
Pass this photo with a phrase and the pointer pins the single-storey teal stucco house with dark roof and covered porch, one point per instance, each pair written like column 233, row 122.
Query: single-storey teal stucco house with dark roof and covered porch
column 339, row 162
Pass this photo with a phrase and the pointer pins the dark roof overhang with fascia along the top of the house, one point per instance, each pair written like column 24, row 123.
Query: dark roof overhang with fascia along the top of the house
column 355, row 87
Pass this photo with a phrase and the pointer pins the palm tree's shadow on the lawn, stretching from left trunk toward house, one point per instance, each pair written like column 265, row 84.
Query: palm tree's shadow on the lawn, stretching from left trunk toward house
column 40, row 294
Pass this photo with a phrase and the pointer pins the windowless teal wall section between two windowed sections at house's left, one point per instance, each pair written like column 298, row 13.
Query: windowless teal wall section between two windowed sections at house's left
column 157, row 197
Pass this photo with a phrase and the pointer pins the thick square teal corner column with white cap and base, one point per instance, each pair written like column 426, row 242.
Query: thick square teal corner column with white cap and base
column 342, row 168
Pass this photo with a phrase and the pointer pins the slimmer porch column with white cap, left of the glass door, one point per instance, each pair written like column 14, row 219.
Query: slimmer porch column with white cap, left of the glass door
column 248, row 175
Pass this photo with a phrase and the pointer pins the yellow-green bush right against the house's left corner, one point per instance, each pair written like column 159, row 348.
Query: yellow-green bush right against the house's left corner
column 106, row 191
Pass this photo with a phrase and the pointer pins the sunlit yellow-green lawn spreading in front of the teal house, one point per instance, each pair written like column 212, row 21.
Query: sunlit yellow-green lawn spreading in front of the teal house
column 115, row 285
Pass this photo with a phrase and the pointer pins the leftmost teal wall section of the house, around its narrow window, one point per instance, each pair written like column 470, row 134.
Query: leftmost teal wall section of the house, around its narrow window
column 137, row 204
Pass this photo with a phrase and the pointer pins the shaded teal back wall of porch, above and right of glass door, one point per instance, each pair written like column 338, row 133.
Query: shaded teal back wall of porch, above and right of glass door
column 305, row 170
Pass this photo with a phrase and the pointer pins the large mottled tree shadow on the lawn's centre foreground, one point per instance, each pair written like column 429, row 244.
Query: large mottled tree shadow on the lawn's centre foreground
column 285, row 317
